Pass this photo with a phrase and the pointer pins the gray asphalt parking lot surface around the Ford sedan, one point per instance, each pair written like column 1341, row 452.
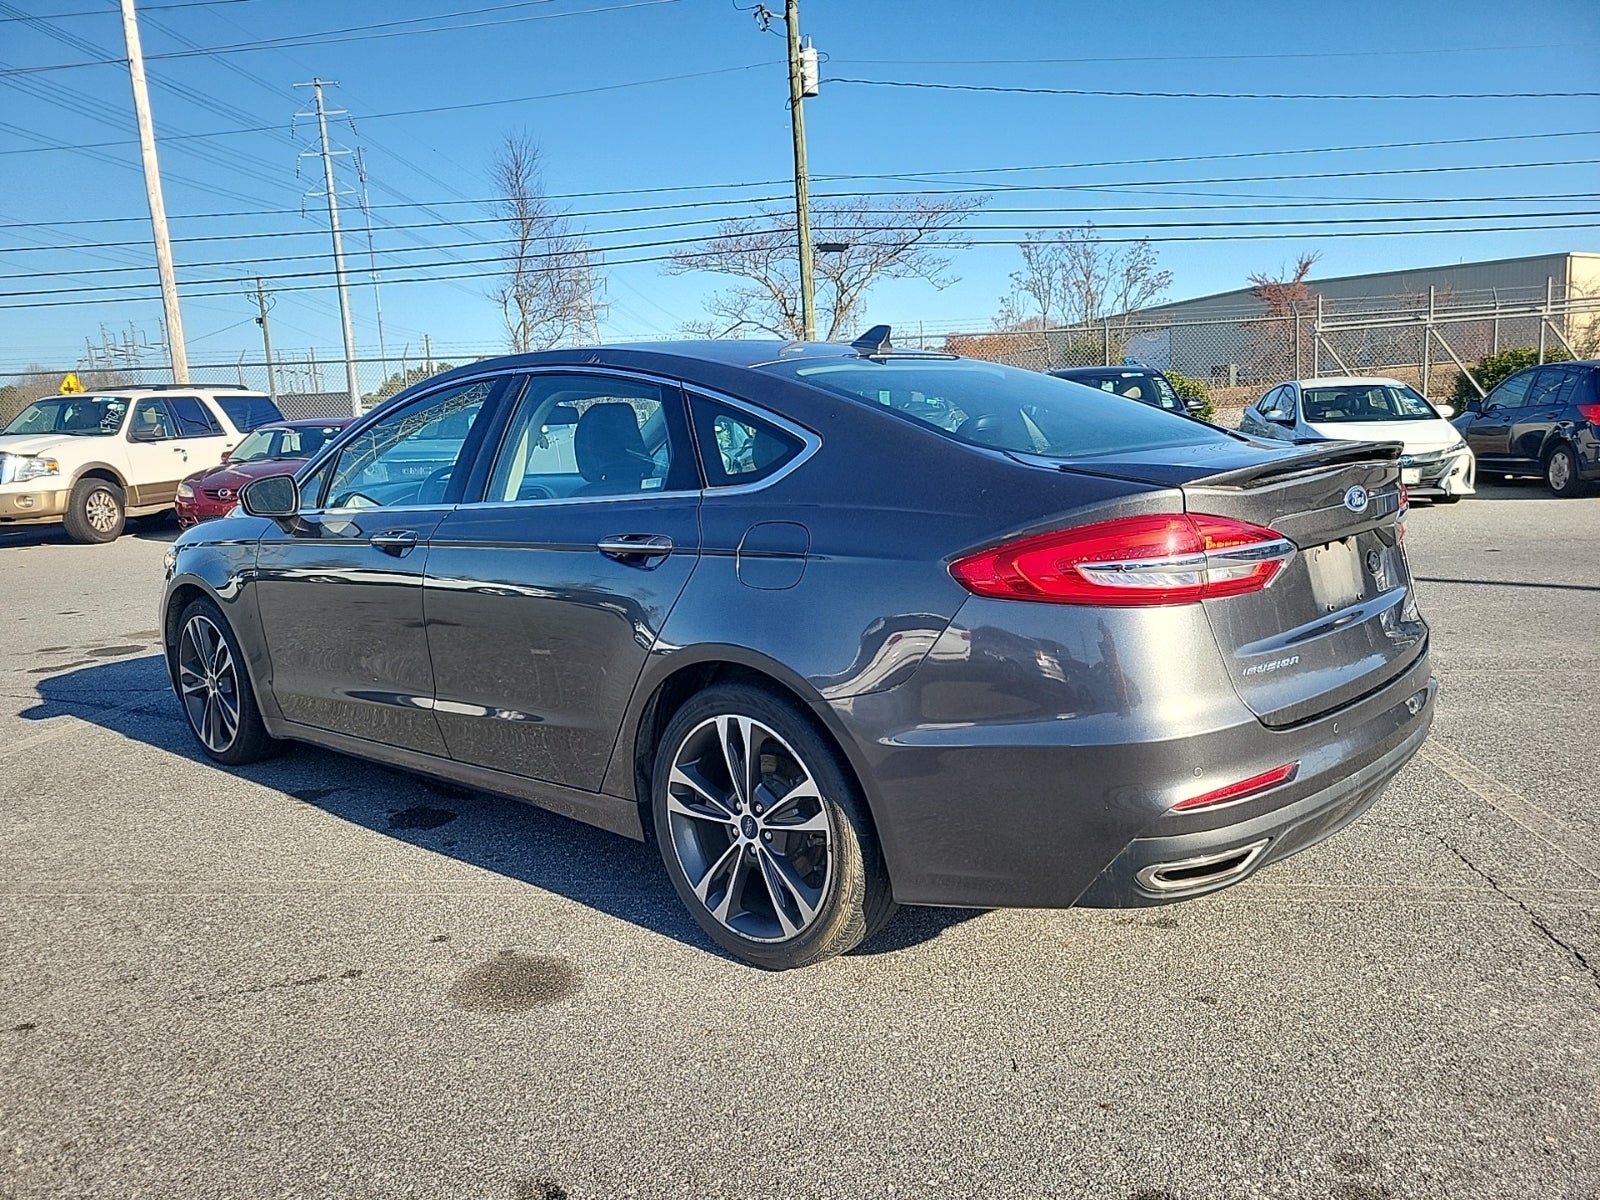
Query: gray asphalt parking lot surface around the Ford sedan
column 319, row 978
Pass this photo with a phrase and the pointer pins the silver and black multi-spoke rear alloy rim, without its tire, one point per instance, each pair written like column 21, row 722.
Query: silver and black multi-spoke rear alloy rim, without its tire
column 750, row 830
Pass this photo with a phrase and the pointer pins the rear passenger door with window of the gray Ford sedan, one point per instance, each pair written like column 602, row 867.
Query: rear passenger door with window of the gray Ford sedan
column 546, row 598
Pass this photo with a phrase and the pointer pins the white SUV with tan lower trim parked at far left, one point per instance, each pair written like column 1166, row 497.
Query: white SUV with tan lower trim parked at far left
column 94, row 460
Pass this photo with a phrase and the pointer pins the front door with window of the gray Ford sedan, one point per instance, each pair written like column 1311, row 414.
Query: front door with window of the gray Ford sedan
column 340, row 588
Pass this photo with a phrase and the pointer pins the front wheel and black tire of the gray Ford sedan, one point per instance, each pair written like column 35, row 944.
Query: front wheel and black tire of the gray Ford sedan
column 214, row 689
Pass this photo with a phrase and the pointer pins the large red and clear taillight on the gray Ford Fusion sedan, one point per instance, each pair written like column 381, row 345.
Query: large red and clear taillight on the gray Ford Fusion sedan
column 1172, row 559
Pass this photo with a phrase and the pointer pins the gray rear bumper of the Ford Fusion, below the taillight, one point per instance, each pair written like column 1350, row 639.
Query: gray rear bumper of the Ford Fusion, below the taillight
column 1044, row 802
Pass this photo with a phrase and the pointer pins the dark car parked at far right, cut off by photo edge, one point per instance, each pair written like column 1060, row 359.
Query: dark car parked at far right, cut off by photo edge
column 1542, row 422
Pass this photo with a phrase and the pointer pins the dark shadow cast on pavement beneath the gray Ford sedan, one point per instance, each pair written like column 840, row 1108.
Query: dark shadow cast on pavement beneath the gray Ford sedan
column 602, row 871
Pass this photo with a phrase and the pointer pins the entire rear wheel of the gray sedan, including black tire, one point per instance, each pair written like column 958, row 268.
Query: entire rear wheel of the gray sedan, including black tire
column 793, row 862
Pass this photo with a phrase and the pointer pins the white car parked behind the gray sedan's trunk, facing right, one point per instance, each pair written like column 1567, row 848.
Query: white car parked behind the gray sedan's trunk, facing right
column 1436, row 460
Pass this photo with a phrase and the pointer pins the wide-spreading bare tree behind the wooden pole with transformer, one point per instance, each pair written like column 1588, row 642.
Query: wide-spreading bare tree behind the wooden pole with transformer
column 881, row 238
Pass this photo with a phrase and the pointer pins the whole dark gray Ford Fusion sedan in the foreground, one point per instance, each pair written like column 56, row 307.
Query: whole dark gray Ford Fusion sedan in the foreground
column 839, row 628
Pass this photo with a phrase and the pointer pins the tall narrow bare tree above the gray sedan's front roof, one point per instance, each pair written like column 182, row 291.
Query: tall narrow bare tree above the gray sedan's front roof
column 548, row 281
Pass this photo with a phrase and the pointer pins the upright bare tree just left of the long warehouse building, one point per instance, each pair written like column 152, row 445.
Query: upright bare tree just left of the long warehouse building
column 1071, row 278
